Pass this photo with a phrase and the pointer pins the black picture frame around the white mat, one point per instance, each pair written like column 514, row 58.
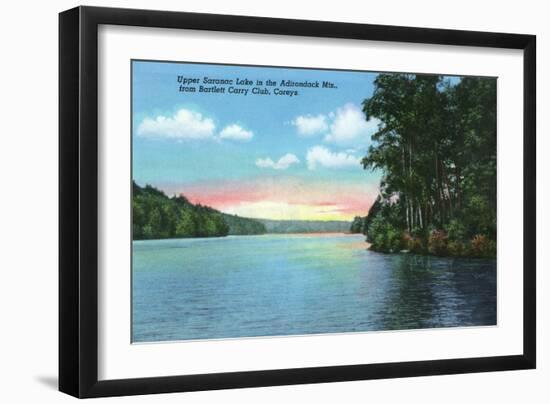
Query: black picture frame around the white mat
column 78, row 201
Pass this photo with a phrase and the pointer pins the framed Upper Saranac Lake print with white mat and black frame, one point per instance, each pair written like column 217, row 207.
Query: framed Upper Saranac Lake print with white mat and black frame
column 248, row 201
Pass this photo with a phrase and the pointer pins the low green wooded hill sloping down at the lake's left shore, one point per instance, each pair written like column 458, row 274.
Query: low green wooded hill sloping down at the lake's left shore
column 155, row 216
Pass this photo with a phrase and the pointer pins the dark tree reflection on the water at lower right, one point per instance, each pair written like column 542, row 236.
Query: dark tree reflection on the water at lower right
column 439, row 292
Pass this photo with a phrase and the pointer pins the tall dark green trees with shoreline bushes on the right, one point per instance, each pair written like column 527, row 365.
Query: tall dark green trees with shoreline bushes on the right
column 436, row 150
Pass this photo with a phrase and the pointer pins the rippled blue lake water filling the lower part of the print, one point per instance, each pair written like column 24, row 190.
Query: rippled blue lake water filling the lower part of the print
column 245, row 286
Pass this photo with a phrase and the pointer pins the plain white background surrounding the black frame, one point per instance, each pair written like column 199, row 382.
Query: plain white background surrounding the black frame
column 28, row 200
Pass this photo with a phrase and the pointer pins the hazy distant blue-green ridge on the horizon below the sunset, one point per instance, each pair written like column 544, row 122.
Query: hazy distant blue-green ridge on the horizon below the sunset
column 305, row 226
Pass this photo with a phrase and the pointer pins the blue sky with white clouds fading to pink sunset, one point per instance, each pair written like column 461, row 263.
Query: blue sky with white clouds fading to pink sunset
column 273, row 157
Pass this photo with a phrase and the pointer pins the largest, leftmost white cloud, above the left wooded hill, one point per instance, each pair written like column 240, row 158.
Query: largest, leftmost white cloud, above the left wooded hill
column 184, row 124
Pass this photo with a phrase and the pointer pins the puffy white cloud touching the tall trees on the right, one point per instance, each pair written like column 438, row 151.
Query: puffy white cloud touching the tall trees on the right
column 349, row 127
